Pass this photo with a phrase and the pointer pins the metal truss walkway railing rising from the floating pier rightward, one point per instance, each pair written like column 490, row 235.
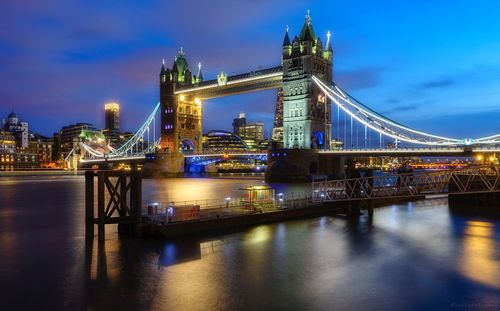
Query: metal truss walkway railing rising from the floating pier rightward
column 465, row 180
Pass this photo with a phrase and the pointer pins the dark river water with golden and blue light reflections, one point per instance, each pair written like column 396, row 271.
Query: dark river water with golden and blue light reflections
column 413, row 256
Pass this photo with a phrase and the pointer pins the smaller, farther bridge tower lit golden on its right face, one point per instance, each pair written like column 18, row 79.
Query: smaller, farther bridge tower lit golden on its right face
column 180, row 114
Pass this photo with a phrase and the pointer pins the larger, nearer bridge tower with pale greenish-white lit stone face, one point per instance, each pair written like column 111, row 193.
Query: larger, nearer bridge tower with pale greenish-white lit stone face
column 306, row 111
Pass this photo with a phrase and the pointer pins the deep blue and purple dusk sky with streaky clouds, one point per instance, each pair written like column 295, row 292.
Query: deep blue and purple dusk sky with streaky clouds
column 432, row 65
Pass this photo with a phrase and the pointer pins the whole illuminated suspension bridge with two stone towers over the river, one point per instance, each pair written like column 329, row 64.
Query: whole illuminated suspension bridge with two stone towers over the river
column 304, row 115
